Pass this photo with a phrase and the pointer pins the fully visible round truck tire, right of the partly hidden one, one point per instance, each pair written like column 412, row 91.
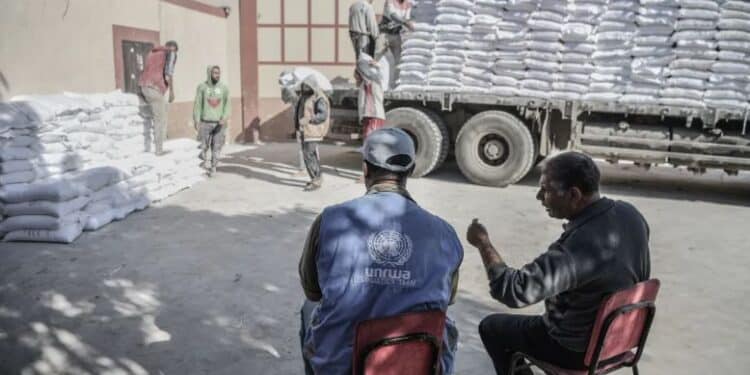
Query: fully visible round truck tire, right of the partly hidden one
column 495, row 148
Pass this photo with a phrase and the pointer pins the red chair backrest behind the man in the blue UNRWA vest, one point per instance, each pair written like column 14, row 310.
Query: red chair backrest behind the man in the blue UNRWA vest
column 403, row 344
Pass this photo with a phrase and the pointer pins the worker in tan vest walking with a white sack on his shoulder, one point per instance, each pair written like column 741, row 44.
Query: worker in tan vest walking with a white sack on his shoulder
column 312, row 121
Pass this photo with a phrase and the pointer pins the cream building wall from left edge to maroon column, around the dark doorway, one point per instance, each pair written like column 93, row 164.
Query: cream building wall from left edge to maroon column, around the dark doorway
column 51, row 46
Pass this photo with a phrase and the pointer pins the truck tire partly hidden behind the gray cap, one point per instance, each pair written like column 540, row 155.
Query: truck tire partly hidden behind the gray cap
column 430, row 135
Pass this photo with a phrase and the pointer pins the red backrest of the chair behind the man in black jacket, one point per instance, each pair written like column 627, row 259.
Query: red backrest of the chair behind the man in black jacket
column 622, row 323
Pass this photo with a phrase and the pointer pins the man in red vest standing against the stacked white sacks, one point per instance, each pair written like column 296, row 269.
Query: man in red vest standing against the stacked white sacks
column 155, row 81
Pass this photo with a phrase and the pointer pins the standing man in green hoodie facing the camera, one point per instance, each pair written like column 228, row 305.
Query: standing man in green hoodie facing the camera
column 211, row 110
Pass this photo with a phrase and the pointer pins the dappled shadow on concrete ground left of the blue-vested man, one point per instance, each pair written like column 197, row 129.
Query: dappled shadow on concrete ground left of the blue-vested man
column 146, row 296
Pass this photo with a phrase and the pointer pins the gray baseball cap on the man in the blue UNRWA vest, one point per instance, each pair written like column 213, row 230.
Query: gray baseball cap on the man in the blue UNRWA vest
column 389, row 148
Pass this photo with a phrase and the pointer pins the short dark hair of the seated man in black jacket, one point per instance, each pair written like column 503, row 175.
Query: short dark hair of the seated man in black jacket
column 573, row 169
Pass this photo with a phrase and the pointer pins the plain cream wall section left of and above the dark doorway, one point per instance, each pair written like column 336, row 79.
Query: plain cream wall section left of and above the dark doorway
column 50, row 46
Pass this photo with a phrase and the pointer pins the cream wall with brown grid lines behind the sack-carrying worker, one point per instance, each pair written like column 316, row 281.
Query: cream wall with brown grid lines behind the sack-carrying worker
column 291, row 33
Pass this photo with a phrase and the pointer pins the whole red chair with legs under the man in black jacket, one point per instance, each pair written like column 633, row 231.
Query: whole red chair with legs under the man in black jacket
column 622, row 325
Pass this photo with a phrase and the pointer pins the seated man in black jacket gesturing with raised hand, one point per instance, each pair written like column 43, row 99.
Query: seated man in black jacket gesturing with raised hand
column 603, row 249
